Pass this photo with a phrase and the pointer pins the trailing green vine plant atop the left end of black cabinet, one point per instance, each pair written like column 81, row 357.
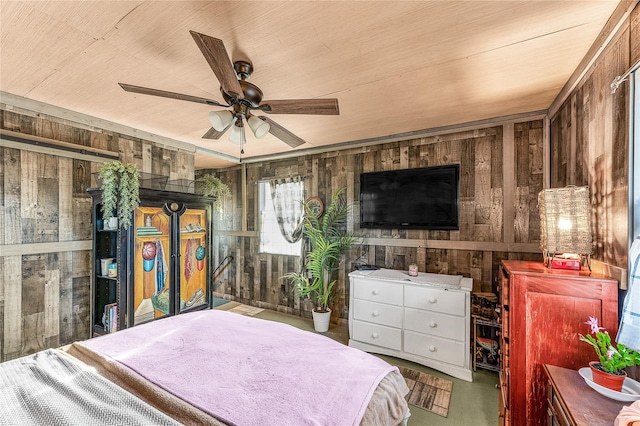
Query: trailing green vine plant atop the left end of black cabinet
column 120, row 191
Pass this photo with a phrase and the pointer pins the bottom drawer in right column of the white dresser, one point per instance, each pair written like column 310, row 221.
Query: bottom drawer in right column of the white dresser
column 449, row 351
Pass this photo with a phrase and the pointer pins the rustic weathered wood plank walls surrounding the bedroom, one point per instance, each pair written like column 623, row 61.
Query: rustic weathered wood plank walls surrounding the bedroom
column 45, row 212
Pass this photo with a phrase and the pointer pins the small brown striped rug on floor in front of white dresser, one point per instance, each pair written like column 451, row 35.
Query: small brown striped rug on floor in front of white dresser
column 428, row 392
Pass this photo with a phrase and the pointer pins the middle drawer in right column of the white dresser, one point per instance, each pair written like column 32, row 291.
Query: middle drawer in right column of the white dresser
column 449, row 326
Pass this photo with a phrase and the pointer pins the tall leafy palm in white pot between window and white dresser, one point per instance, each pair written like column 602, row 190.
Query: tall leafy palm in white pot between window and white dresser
column 329, row 241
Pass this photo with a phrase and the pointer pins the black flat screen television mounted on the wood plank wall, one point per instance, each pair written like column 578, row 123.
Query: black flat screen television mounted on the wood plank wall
column 421, row 198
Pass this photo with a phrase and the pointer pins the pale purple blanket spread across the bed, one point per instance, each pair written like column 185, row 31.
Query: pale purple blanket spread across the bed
column 248, row 371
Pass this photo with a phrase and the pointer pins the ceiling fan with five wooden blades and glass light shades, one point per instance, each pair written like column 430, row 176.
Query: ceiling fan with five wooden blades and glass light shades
column 243, row 98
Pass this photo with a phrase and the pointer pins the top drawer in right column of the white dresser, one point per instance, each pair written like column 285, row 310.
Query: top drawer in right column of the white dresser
column 437, row 300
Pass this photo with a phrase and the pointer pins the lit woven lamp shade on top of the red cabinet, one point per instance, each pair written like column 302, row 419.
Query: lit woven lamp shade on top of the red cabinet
column 565, row 220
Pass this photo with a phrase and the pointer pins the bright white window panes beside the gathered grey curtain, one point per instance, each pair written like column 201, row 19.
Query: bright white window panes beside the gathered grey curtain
column 271, row 239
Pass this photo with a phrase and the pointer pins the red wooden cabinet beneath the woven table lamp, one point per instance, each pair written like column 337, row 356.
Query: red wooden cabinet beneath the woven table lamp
column 542, row 312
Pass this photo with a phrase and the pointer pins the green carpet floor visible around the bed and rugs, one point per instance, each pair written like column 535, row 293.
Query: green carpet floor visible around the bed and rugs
column 472, row 404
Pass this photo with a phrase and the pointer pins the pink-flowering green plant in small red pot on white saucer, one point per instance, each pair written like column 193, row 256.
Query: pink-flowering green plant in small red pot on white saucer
column 613, row 358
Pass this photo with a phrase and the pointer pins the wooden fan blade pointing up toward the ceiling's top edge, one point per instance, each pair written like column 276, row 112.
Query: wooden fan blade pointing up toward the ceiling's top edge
column 216, row 55
